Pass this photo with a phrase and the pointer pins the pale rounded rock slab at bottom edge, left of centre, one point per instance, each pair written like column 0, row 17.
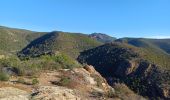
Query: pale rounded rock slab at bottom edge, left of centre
column 54, row 93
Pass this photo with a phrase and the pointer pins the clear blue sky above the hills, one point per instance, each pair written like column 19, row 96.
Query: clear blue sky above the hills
column 118, row 18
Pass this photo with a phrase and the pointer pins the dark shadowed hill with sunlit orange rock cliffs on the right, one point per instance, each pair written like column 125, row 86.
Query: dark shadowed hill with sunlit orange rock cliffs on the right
column 124, row 63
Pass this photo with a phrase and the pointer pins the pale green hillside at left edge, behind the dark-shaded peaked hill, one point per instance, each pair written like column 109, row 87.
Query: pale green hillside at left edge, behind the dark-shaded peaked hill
column 13, row 40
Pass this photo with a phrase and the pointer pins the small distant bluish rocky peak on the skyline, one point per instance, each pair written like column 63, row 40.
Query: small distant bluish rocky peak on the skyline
column 102, row 37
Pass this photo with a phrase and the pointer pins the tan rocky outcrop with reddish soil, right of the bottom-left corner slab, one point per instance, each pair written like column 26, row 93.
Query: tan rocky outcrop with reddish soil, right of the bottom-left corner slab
column 76, row 84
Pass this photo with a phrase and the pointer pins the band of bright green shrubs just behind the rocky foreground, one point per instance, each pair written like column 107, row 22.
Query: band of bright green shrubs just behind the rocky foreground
column 32, row 66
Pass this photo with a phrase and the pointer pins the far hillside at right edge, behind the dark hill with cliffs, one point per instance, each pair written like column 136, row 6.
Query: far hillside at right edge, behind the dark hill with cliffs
column 154, row 50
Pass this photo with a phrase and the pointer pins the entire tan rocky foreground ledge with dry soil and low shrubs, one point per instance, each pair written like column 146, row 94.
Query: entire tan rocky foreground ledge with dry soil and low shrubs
column 76, row 84
